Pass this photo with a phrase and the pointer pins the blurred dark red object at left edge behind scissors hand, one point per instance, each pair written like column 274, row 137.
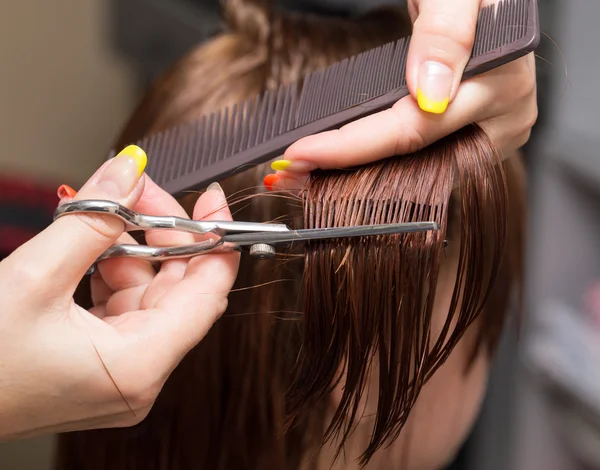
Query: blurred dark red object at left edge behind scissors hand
column 26, row 208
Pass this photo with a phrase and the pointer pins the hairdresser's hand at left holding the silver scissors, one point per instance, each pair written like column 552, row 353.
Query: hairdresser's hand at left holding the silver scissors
column 64, row 368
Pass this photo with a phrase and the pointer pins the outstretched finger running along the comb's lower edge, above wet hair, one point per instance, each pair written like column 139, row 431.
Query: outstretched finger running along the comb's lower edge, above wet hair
column 405, row 128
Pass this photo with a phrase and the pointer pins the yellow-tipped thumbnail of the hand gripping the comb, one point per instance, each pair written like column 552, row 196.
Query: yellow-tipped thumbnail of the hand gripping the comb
column 435, row 85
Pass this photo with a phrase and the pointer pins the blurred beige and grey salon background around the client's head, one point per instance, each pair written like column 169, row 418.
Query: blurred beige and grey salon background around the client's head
column 72, row 71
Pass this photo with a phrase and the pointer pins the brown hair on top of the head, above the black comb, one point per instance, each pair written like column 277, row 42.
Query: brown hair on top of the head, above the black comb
column 259, row 50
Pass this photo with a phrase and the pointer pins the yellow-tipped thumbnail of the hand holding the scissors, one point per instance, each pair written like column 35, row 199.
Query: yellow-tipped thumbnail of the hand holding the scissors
column 122, row 174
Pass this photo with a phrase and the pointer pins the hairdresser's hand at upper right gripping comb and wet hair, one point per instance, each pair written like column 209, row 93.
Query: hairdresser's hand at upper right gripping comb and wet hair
column 502, row 101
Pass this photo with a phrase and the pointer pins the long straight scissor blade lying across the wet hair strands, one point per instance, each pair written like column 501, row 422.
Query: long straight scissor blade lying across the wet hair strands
column 327, row 233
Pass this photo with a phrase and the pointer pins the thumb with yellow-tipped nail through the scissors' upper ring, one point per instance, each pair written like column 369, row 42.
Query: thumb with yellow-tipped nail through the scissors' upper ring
column 71, row 244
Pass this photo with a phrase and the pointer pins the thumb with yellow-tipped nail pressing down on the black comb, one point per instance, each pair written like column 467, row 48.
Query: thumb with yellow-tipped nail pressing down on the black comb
column 441, row 45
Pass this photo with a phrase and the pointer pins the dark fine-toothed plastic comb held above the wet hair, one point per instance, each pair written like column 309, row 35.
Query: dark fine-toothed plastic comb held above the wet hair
column 191, row 155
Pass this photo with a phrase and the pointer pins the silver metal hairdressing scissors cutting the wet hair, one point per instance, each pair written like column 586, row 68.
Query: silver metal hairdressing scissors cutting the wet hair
column 259, row 239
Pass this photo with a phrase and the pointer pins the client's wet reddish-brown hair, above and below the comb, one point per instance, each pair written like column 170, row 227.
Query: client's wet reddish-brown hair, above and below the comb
column 254, row 393
